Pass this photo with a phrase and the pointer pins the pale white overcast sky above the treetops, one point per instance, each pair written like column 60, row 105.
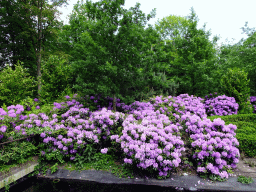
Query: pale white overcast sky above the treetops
column 223, row 18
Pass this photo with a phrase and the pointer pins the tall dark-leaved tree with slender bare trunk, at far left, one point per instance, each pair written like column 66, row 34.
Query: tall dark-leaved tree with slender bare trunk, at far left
column 32, row 33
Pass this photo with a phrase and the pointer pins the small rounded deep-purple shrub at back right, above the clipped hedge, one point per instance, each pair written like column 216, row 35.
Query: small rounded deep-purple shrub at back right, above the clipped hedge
column 221, row 105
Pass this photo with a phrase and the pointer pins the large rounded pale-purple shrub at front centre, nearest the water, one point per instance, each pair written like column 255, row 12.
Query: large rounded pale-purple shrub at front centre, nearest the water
column 150, row 143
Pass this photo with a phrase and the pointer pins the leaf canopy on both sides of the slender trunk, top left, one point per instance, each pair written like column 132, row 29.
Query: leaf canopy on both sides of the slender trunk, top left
column 19, row 31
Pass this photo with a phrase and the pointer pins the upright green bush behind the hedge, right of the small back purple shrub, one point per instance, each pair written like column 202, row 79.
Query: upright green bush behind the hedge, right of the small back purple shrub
column 235, row 84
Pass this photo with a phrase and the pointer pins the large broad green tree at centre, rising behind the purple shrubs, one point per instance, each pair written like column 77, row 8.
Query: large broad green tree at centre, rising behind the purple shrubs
column 108, row 52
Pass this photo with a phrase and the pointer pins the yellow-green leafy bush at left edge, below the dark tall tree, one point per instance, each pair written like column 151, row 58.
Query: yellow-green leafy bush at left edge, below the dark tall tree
column 15, row 85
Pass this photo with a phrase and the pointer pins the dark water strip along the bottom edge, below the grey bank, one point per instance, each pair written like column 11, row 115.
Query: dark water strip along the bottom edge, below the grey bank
column 34, row 184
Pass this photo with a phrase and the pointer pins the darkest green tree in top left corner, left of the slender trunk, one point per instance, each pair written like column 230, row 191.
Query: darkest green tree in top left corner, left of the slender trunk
column 15, row 42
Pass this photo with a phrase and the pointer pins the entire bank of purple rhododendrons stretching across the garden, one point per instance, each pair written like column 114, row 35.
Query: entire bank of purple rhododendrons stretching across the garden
column 151, row 135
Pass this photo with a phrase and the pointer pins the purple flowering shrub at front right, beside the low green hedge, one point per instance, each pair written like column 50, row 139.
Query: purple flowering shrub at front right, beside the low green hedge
column 214, row 145
